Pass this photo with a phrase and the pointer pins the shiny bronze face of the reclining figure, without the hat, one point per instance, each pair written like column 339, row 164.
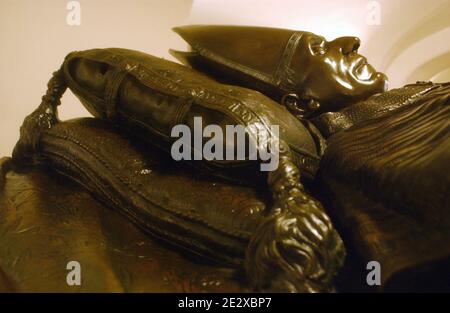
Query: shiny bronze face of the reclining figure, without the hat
column 334, row 74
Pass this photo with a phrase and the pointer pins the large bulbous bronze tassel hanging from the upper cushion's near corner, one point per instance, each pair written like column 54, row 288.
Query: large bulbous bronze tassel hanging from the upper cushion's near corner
column 296, row 248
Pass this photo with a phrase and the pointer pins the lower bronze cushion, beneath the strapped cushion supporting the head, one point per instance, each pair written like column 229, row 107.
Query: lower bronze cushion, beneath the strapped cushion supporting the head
column 183, row 206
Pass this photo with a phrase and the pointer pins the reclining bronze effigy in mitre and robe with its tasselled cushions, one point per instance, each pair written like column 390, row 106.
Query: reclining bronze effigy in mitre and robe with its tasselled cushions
column 337, row 116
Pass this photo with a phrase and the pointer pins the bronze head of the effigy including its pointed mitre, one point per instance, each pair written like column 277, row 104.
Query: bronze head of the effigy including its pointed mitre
column 298, row 68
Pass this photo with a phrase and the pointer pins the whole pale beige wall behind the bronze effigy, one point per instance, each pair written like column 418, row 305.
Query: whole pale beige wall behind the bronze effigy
column 411, row 43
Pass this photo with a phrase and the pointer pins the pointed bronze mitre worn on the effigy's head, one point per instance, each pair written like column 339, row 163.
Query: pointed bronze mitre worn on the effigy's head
column 259, row 58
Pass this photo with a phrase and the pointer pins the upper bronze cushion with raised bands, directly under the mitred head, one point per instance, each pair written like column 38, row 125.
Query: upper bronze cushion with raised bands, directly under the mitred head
column 150, row 95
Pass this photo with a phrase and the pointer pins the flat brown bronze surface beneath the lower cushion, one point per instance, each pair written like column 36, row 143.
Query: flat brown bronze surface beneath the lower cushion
column 47, row 221
